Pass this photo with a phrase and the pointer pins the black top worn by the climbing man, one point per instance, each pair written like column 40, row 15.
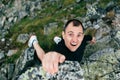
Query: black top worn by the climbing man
column 76, row 55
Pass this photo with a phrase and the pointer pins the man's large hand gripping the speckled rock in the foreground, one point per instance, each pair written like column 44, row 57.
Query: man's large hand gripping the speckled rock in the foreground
column 51, row 60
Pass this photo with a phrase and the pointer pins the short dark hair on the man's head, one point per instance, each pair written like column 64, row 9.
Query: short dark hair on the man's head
column 75, row 23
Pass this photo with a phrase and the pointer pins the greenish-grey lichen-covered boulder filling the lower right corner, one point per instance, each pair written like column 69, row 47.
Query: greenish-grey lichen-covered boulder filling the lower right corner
column 105, row 66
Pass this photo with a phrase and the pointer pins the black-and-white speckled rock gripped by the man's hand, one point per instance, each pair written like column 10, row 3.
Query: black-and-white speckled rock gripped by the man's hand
column 67, row 71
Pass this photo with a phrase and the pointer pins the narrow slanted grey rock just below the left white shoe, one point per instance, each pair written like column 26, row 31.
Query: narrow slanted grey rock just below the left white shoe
column 23, row 62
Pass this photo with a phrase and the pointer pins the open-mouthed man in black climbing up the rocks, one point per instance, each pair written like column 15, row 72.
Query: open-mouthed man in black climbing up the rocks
column 71, row 47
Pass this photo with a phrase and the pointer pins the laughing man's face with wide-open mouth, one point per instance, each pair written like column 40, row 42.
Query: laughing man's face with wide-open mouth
column 73, row 36
